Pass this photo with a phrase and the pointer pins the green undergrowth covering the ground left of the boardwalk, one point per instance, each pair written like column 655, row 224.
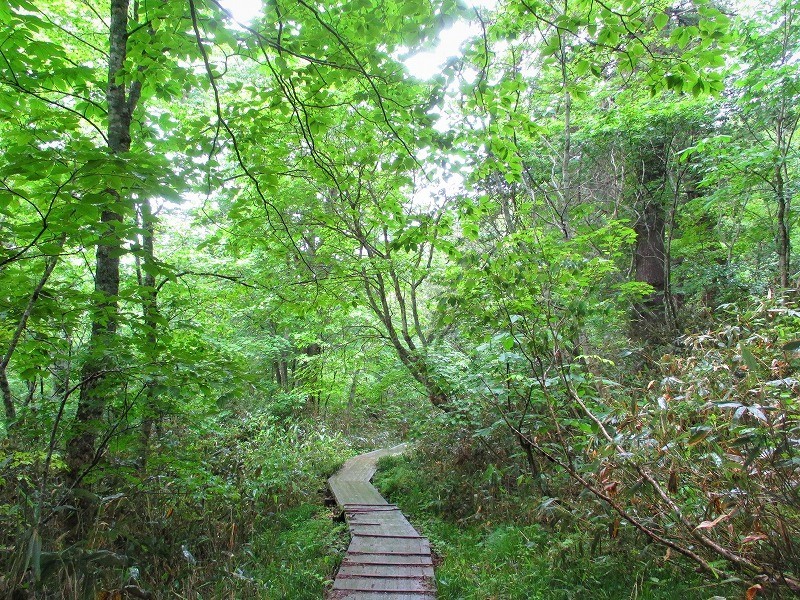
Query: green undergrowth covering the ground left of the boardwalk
column 227, row 509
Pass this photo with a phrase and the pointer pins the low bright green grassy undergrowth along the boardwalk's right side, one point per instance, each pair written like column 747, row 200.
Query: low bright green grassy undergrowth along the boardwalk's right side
column 503, row 556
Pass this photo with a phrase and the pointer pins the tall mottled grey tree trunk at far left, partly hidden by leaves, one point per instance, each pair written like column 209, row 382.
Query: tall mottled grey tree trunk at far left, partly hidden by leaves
column 100, row 360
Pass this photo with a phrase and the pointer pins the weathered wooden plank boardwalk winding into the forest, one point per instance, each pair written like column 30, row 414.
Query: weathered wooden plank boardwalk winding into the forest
column 387, row 559
